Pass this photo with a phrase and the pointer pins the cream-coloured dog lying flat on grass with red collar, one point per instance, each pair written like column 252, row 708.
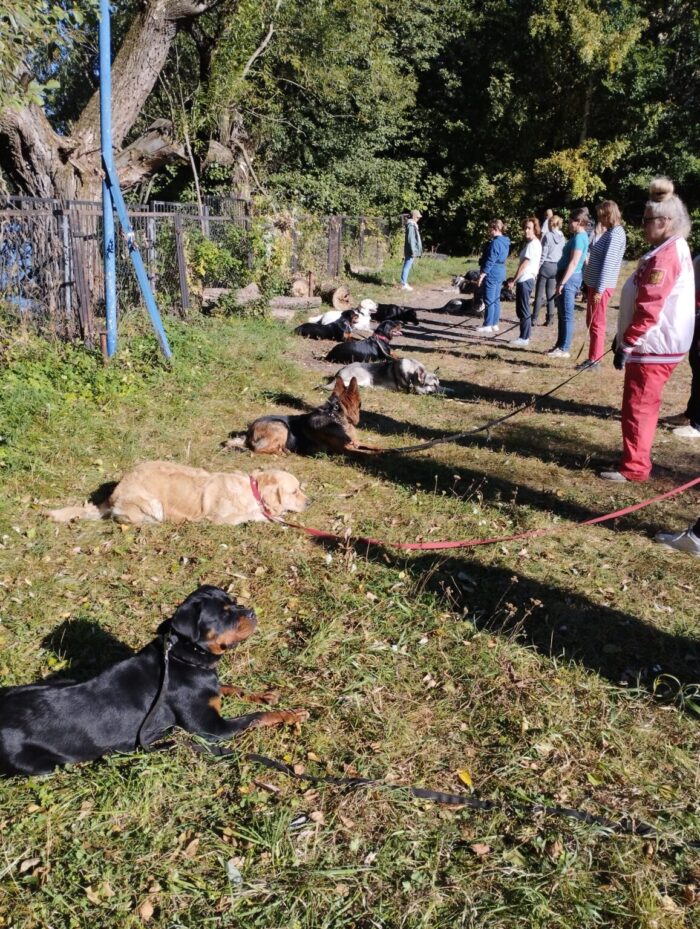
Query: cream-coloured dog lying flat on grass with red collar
column 161, row 491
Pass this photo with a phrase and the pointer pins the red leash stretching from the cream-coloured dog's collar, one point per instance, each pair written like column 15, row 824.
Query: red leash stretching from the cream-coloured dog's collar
column 465, row 543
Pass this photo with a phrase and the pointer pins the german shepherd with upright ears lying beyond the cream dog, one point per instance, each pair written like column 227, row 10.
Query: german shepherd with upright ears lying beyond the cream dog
column 329, row 428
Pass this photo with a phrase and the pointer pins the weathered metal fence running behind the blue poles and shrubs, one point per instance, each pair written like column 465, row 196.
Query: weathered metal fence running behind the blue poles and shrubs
column 51, row 254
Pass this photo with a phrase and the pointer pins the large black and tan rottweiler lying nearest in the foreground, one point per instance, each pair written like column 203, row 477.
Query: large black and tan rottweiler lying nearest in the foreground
column 171, row 682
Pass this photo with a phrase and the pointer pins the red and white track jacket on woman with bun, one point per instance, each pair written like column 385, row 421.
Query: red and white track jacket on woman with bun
column 657, row 312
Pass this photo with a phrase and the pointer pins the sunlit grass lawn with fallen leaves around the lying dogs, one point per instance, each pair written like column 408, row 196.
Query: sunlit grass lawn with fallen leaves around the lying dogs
column 561, row 670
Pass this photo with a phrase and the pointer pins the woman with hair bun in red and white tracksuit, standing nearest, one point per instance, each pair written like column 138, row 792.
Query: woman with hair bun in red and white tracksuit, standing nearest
column 654, row 327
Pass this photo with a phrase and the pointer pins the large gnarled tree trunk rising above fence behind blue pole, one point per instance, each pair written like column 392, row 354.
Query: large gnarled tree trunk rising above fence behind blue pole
column 37, row 158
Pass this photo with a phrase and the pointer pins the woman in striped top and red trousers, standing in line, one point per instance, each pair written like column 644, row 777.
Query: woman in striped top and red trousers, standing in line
column 600, row 275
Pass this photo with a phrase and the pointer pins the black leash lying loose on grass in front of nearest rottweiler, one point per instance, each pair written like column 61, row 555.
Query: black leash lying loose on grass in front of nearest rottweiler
column 626, row 825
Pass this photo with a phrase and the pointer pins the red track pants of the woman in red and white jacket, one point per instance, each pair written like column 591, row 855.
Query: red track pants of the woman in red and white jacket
column 641, row 400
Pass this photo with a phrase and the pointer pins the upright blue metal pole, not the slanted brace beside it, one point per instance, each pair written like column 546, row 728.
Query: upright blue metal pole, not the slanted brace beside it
column 109, row 250
